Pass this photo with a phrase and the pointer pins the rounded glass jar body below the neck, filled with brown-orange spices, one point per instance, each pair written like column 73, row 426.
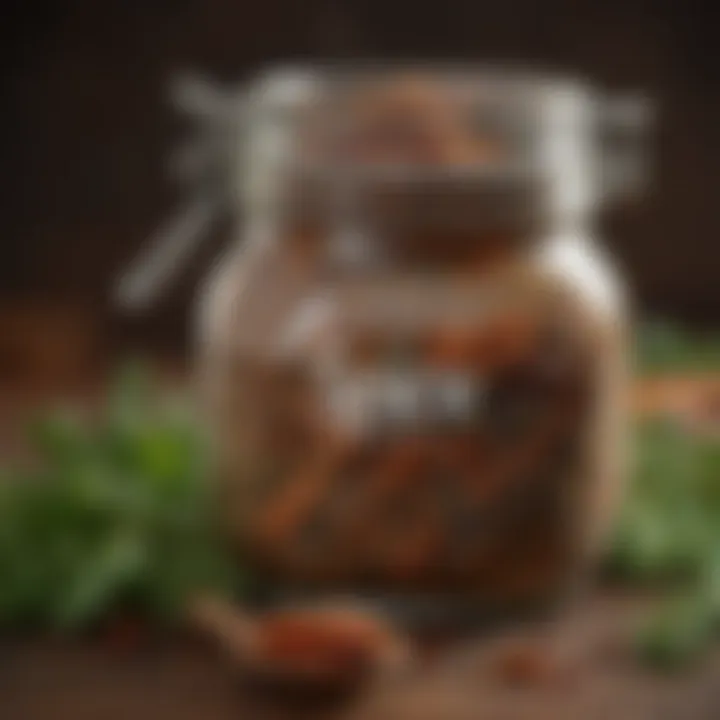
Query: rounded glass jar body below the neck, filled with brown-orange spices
column 453, row 433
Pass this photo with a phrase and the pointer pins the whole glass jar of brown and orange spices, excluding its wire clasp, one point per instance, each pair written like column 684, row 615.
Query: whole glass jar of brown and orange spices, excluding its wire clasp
column 414, row 358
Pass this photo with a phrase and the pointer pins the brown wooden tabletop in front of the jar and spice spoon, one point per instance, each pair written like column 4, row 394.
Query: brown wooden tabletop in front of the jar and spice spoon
column 57, row 680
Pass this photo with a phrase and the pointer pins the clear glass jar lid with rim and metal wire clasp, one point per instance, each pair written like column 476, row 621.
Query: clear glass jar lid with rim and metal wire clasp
column 423, row 145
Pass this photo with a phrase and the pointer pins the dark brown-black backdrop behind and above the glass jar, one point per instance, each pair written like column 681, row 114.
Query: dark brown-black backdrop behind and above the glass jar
column 86, row 125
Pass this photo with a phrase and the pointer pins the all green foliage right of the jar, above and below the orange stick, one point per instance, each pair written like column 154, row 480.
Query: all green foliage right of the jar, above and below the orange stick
column 668, row 534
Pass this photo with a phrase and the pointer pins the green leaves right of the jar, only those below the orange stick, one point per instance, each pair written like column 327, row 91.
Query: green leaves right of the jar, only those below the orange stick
column 670, row 531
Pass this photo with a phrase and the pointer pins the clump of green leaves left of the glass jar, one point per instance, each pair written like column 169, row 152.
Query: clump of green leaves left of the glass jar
column 114, row 513
